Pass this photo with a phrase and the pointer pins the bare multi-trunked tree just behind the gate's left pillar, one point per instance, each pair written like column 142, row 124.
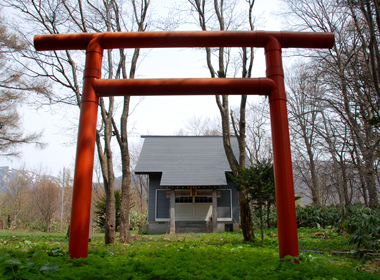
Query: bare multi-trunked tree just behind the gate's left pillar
column 55, row 17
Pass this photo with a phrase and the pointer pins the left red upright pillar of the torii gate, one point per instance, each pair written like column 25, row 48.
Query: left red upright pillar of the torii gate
column 84, row 162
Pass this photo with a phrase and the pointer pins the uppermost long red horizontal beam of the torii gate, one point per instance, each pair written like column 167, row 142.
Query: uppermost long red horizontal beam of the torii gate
column 183, row 39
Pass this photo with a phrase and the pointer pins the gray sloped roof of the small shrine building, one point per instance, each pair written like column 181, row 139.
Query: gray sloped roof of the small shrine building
column 186, row 160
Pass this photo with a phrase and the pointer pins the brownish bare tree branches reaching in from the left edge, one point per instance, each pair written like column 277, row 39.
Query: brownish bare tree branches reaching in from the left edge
column 15, row 87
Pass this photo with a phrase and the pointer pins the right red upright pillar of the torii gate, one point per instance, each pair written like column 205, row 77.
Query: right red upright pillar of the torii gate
column 282, row 161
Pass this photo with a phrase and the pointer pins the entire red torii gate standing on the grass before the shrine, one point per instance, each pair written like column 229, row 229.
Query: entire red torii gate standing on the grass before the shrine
column 95, row 87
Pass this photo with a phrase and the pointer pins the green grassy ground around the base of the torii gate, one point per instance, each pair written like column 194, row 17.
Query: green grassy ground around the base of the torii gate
column 27, row 255
